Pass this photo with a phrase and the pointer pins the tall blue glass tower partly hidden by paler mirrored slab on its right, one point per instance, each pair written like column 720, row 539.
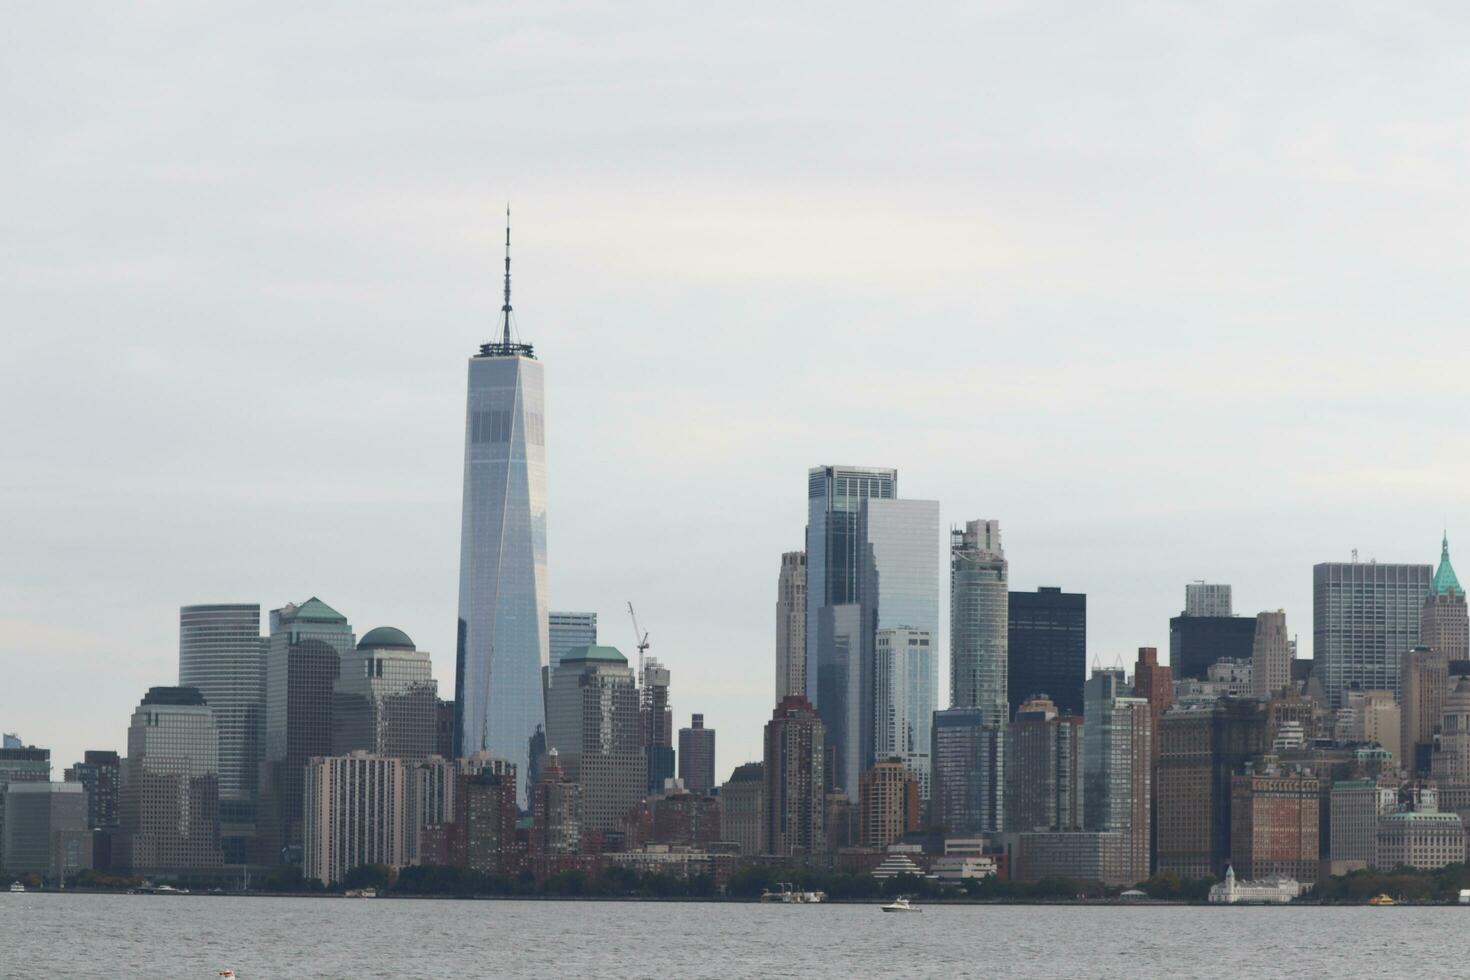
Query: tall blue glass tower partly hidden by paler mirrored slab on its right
column 837, row 630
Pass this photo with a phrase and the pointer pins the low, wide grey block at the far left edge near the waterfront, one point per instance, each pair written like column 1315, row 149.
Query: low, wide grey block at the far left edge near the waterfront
column 46, row 831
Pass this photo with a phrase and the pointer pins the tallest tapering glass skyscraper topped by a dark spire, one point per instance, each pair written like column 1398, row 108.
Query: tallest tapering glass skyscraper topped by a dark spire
column 503, row 640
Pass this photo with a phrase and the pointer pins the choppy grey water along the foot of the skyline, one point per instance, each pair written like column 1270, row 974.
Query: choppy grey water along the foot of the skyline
column 196, row 937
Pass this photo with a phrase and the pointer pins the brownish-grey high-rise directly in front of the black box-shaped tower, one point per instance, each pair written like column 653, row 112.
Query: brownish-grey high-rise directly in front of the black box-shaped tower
column 1043, row 769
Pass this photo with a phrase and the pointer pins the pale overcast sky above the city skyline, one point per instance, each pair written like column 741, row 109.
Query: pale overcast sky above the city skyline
column 1174, row 292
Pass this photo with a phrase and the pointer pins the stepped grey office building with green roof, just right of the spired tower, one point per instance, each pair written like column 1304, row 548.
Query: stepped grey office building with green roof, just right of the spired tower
column 595, row 725
